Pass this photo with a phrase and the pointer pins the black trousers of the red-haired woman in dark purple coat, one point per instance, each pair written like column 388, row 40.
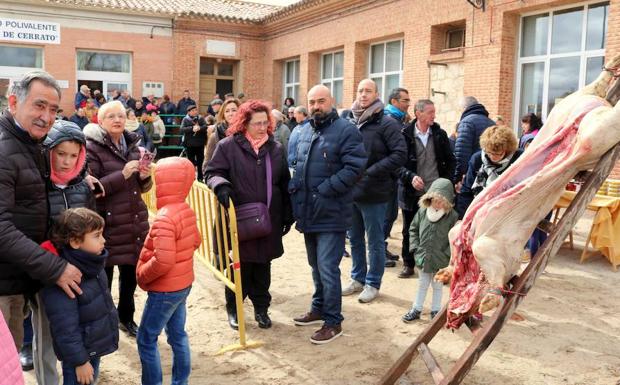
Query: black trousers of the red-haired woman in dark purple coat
column 255, row 282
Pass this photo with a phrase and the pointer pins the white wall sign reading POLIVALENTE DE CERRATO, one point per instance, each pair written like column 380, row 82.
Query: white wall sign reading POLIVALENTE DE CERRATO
column 29, row 31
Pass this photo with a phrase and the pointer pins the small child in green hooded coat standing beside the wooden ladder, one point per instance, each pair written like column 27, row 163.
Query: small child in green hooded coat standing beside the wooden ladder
column 428, row 237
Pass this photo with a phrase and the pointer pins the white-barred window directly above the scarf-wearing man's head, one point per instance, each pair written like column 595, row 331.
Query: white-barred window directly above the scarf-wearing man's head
column 386, row 66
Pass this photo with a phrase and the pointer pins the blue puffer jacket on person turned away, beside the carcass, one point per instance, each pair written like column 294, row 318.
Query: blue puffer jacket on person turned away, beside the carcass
column 474, row 120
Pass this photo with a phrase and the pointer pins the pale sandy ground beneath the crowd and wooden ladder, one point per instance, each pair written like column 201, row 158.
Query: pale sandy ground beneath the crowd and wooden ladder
column 571, row 334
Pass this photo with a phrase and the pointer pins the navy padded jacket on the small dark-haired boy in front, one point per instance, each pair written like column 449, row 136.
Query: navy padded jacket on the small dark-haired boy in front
column 87, row 326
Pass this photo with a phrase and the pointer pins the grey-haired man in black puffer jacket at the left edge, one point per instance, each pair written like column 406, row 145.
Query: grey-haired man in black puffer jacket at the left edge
column 33, row 103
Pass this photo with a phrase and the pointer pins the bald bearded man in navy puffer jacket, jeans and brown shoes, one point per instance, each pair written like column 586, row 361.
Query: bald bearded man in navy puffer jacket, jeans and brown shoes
column 327, row 158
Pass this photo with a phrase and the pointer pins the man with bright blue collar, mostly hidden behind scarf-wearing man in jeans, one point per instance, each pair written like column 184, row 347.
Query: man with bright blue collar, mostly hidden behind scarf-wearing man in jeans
column 397, row 107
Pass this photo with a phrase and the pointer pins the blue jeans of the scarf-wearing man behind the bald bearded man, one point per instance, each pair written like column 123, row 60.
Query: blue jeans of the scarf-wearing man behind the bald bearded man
column 368, row 218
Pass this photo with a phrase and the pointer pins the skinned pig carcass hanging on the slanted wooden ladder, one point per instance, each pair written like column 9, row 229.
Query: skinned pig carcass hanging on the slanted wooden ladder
column 487, row 244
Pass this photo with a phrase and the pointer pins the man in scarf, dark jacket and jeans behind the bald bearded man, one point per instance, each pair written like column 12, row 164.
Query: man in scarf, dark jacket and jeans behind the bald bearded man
column 386, row 152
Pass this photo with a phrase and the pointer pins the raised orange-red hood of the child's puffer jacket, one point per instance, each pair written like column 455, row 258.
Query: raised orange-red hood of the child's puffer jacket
column 174, row 177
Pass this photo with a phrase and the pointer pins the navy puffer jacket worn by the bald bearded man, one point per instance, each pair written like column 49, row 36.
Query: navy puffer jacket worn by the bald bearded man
column 326, row 162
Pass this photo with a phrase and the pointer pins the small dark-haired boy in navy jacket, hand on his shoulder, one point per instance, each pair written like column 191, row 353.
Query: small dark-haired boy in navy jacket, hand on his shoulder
column 84, row 328
